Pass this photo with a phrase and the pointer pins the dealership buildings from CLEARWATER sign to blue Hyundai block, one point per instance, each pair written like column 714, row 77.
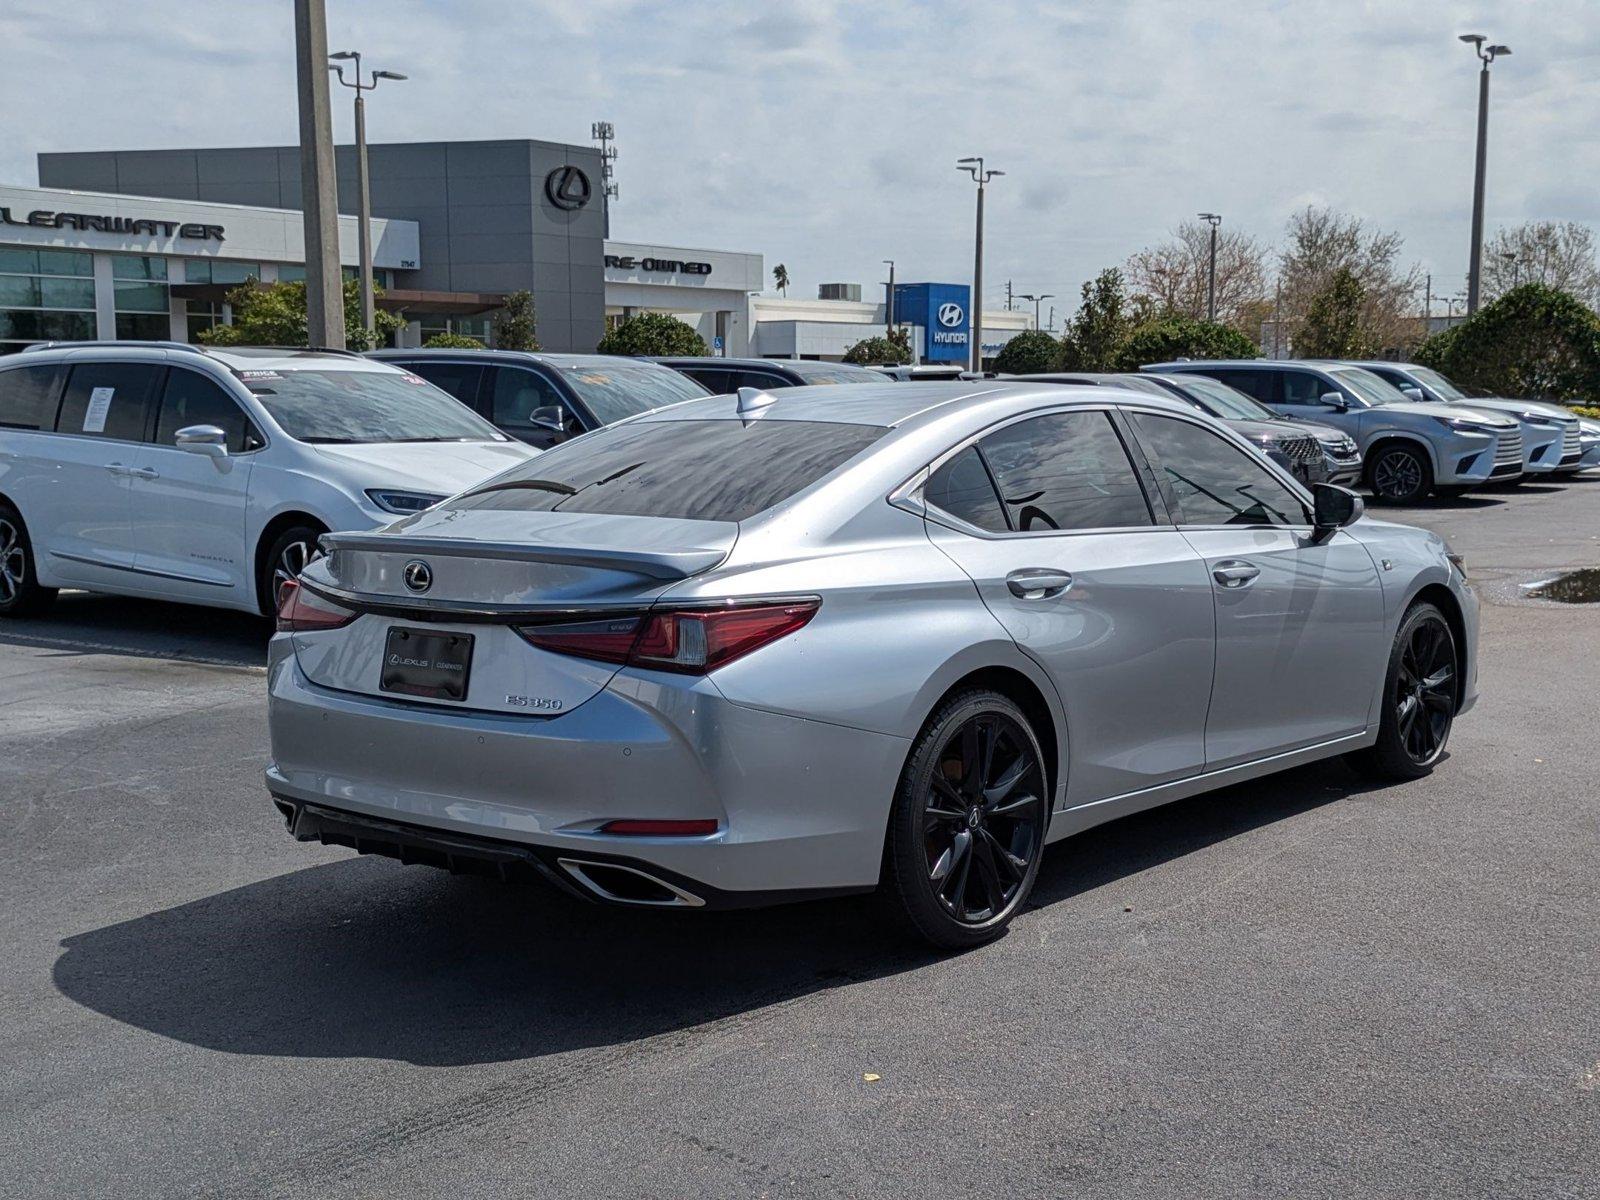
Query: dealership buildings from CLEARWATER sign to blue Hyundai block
column 150, row 244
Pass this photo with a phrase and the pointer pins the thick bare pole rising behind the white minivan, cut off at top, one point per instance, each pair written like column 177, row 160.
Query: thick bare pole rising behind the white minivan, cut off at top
column 319, row 201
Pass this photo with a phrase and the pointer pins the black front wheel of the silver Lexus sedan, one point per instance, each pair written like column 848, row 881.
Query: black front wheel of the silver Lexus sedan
column 1420, row 700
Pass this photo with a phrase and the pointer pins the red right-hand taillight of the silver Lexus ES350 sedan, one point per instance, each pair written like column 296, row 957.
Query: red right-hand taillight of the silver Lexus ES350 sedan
column 687, row 641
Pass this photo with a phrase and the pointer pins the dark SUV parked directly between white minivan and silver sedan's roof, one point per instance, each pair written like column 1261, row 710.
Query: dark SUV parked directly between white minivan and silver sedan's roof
column 545, row 399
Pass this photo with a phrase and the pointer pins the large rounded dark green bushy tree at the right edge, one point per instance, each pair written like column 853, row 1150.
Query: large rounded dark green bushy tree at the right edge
column 1532, row 343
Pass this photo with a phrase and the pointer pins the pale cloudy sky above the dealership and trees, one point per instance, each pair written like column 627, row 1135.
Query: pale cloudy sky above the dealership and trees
column 825, row 134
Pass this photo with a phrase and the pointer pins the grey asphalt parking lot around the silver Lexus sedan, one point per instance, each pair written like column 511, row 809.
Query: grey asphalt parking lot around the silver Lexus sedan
column 1305, row 986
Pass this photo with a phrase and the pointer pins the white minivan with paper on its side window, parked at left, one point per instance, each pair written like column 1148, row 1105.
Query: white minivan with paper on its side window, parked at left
column 180, row 473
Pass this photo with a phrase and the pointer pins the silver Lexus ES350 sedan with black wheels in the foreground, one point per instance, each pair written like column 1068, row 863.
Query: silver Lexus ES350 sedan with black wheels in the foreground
column 898, row 638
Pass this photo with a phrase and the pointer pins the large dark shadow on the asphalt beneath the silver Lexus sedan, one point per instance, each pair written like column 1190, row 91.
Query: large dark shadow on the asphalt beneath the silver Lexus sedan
column 370, row 959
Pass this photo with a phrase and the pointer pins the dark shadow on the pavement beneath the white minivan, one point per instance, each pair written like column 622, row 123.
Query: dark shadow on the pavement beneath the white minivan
column 84, row 623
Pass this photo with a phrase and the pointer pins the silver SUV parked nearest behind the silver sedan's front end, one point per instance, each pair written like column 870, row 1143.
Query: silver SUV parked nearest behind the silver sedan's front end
column 1410, row 449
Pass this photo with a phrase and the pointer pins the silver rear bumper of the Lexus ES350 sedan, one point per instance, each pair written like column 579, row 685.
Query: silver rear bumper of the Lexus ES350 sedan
column 802, row 806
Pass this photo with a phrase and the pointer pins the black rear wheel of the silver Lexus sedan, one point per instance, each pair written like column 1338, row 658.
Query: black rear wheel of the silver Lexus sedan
column 969, row 823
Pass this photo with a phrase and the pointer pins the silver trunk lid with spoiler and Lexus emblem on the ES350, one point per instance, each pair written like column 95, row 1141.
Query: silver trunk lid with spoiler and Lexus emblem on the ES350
column 484, row 574
